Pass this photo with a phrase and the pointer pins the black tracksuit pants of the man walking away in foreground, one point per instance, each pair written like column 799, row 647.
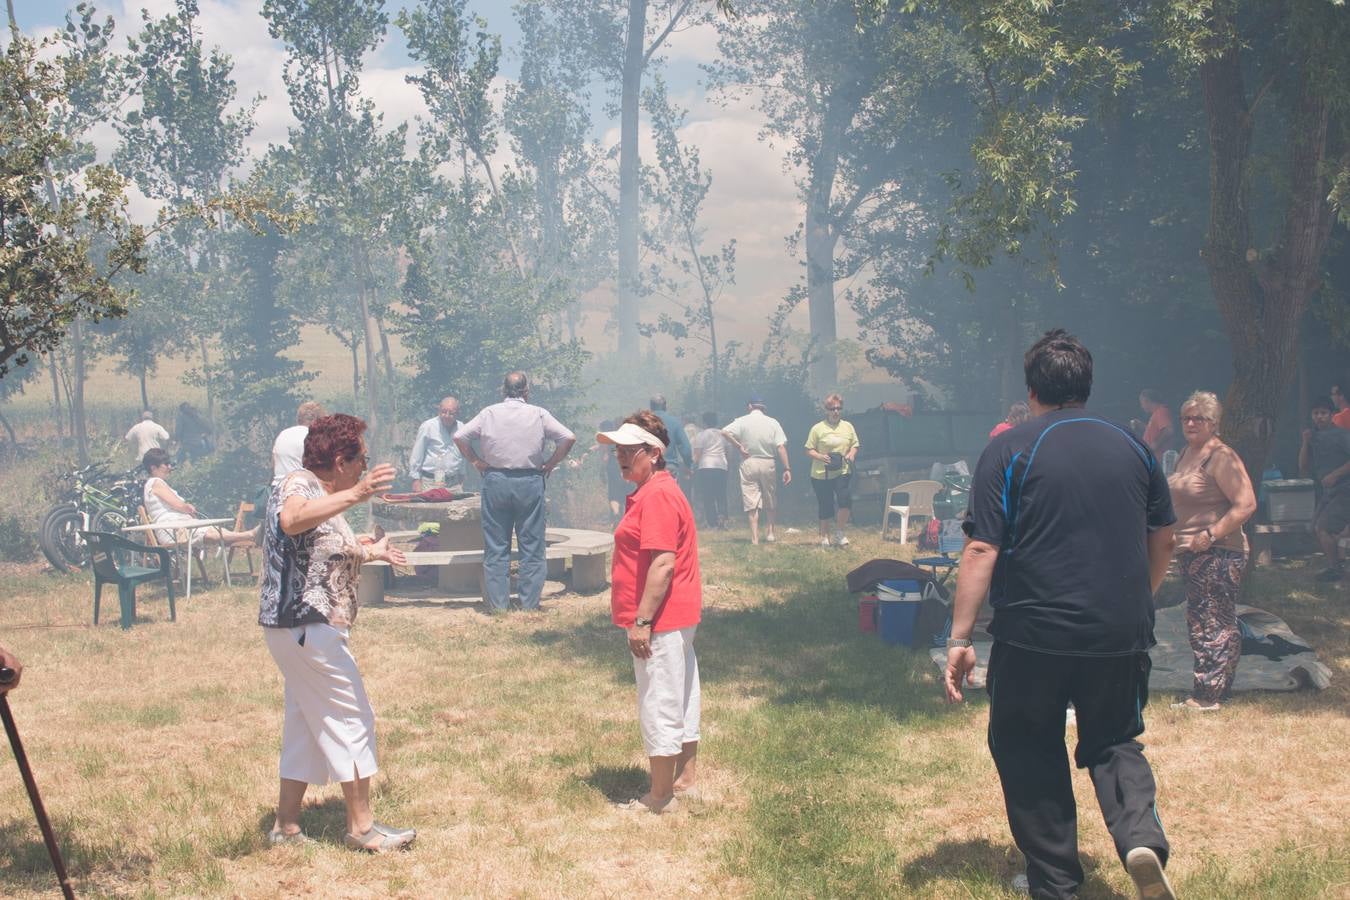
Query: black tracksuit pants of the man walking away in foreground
column 1029, row 693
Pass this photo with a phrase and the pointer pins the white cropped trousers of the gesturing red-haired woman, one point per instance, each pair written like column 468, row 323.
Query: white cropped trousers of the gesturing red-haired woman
column 330, row 729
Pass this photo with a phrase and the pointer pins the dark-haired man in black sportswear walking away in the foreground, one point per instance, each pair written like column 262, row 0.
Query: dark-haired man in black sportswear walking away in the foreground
column 1070, row 535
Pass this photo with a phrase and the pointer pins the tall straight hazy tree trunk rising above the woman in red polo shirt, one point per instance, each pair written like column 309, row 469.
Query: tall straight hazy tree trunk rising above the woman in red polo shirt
column 630, row 196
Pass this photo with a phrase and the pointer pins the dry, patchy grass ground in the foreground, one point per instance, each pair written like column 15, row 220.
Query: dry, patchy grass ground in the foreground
column 831, row 766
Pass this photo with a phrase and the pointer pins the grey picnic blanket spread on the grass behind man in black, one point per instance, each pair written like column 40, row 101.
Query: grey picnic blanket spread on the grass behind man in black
column 1274, row 658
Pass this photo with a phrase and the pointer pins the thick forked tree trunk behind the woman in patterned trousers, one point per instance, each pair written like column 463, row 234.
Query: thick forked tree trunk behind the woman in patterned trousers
column 1262, row 300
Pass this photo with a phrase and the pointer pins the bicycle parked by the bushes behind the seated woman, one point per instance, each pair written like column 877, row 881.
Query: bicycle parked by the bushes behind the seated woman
column 92, row 501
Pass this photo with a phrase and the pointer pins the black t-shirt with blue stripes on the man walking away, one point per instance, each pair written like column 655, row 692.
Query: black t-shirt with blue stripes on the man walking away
column 1070, row 499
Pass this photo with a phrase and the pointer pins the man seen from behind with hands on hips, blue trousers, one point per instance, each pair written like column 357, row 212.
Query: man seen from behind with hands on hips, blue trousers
column 512, row 457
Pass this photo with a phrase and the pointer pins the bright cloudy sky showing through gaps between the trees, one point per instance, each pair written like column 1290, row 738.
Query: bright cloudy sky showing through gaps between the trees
column 753, row 198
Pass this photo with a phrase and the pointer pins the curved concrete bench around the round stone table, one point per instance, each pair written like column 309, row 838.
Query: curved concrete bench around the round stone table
column 462, row 570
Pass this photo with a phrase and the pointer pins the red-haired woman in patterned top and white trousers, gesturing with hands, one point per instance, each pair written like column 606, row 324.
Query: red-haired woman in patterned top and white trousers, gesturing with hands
column 311, row 567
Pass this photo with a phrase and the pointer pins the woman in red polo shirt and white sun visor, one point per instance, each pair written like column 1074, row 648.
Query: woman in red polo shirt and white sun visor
column 658, row 598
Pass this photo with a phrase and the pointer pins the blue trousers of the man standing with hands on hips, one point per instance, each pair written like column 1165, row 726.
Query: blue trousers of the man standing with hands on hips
column 514, row 501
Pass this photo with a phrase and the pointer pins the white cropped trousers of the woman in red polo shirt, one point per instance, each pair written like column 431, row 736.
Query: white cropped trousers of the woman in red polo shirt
column 668, row 693
